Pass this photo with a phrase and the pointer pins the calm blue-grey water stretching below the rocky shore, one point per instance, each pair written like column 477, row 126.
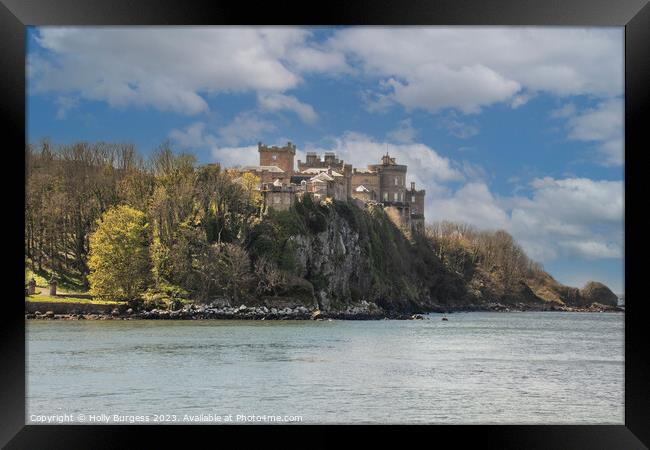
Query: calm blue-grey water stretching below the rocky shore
column 487, row 368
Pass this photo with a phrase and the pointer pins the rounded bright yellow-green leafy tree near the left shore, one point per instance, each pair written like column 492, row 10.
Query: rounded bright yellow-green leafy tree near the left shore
column 119, row 254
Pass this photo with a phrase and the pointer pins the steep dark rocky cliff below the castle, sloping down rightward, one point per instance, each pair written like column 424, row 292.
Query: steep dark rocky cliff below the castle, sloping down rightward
column 344, row 257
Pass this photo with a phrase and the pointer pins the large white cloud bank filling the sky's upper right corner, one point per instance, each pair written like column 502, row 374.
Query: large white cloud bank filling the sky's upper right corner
column 467, row 68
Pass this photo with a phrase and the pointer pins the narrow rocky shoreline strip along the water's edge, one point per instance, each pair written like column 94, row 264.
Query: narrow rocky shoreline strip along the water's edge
column 262, row 313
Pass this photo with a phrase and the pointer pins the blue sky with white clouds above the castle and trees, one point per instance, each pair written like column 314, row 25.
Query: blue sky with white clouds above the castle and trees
column 508, row 128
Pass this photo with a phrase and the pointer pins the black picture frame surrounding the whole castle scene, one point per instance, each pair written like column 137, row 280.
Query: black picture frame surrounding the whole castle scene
column 634, row 15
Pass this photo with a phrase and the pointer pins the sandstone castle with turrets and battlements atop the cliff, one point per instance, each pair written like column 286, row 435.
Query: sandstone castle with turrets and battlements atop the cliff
column 383, row 184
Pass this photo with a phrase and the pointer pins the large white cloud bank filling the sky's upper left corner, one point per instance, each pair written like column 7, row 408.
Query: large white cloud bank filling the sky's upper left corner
column 165, row 68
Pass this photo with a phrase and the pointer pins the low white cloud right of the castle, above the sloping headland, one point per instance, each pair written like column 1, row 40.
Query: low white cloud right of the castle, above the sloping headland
column 572, row 217
